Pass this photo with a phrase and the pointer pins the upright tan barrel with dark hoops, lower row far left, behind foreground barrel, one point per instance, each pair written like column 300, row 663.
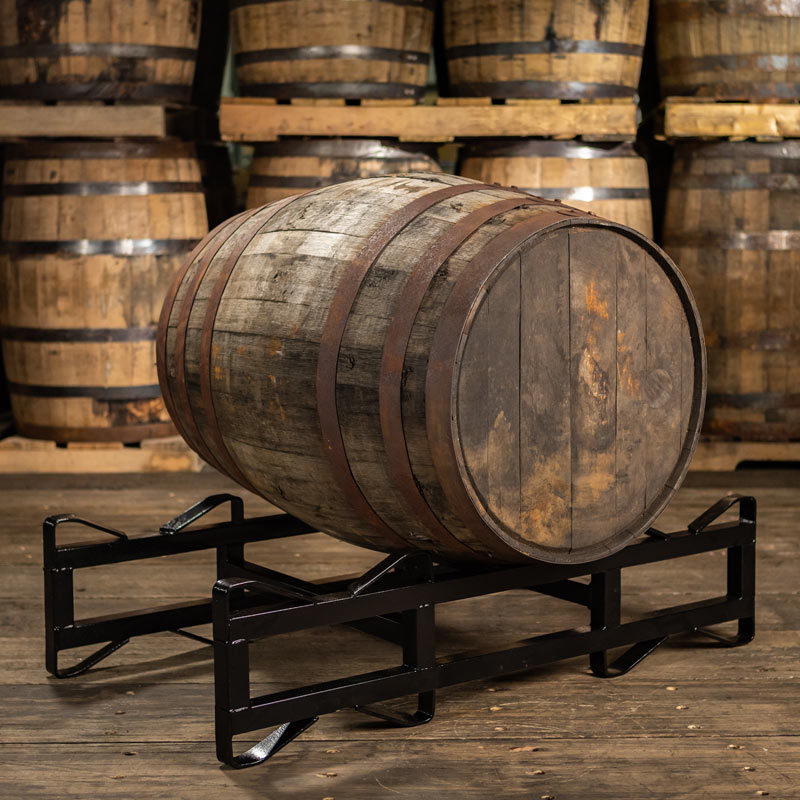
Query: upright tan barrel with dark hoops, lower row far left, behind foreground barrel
column 93, row 233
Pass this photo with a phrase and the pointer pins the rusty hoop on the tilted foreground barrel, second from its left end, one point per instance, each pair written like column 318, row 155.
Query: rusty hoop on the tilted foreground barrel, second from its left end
column 181, row 397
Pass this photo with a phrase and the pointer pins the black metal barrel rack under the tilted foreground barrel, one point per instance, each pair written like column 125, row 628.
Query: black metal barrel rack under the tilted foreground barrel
column 395, row 600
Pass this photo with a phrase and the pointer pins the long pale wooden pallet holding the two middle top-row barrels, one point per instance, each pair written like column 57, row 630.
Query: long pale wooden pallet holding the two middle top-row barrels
column 246, row 119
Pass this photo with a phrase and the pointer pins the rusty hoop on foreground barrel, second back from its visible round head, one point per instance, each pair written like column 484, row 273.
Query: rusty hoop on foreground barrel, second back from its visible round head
column 395, row 346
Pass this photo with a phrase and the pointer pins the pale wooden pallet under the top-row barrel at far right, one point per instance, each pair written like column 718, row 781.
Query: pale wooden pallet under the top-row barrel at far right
column 700, row 118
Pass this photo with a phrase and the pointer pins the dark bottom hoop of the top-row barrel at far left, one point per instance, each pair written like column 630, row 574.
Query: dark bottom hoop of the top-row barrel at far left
column 96, row 90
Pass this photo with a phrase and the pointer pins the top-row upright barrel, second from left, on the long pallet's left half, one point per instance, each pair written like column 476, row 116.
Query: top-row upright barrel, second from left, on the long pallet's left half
column 349, row 48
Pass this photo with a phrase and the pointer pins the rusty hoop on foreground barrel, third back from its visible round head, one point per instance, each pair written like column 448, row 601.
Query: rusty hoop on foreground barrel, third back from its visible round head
column 331, row 341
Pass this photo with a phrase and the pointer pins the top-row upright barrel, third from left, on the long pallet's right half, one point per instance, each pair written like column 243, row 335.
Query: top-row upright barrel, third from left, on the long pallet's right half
column 544, row 48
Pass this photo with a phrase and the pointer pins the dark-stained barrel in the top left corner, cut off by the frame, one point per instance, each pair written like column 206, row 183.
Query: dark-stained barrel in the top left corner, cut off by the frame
column 138, row 50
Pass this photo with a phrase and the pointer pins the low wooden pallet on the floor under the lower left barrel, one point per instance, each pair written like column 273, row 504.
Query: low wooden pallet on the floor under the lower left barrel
column 18, row 454
